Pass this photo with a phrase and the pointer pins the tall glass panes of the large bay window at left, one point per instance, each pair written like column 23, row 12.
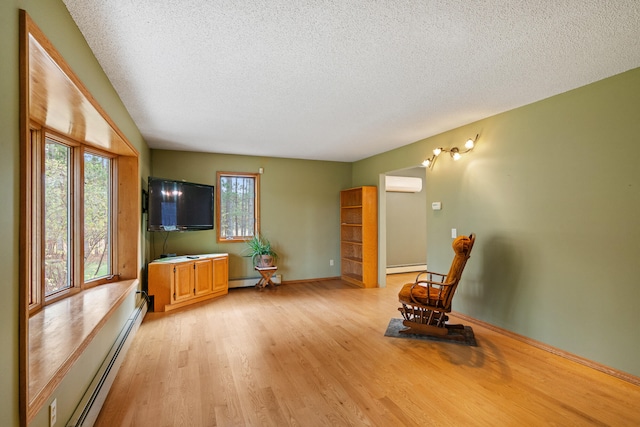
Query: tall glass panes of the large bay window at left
column 76, row 188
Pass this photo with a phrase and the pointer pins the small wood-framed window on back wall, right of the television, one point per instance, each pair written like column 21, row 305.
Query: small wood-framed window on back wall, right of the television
column 237, row 206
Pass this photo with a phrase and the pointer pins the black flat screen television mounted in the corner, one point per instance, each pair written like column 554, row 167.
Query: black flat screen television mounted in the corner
column 179, row 205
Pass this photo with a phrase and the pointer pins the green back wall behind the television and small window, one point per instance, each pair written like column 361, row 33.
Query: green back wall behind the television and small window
column 299, row 211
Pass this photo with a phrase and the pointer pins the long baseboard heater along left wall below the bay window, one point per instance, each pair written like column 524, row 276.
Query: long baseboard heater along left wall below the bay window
column 89, row 407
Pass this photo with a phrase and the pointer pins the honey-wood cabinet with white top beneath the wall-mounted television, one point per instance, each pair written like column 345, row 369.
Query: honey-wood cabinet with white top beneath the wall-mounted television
column 179, row 281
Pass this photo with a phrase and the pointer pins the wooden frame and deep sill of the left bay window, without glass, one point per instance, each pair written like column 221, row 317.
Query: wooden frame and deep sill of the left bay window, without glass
column 70, row 112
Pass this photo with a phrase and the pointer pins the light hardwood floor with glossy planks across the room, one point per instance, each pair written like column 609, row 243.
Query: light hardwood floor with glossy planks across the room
column 315, row 354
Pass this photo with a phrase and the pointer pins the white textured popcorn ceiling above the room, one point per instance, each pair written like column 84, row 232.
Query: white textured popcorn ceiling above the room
column 343, row 79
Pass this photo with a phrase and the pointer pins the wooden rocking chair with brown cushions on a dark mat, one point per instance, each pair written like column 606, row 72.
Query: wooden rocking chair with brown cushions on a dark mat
column 426, row 302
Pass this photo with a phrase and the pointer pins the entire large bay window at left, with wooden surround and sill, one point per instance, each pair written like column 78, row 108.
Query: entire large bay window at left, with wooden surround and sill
column 67, row 144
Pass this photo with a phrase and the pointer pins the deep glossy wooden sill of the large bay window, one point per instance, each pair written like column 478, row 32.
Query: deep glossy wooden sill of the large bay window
column 60, row 332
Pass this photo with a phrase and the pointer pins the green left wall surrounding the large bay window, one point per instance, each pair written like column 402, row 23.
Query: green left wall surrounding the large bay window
column 54, row 20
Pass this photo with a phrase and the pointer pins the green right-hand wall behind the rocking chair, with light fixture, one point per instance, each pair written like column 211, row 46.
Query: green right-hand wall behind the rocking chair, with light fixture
column 552, row 191
